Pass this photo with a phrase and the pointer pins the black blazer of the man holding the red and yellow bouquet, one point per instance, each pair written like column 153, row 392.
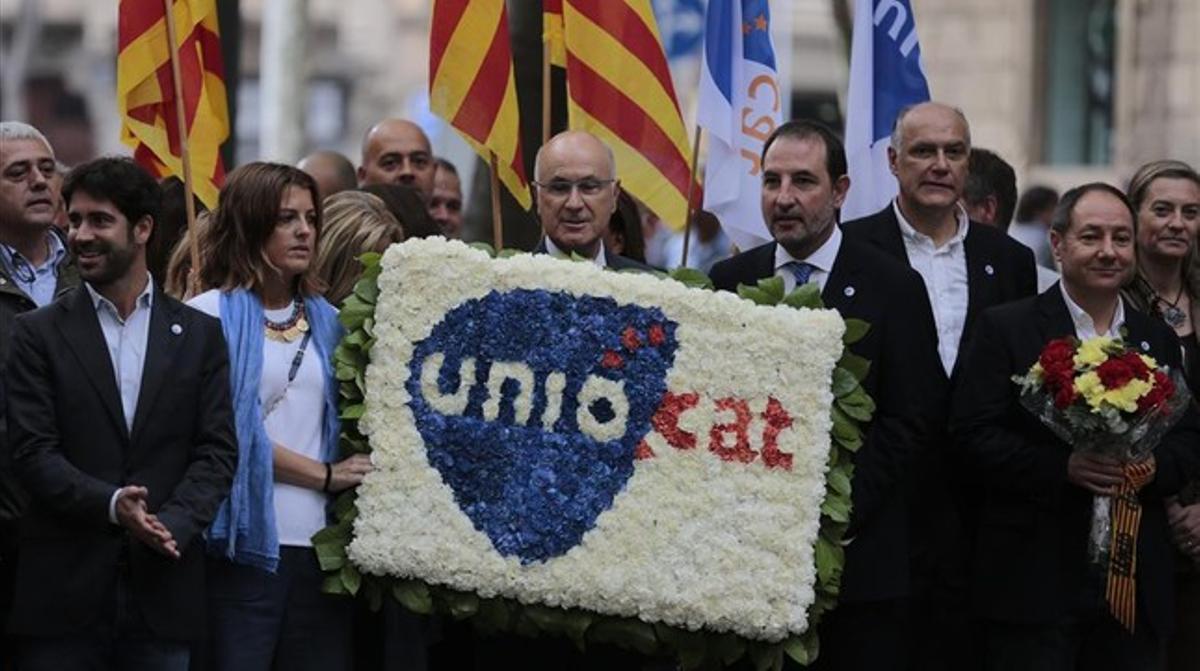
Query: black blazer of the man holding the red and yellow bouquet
column 1030, row 560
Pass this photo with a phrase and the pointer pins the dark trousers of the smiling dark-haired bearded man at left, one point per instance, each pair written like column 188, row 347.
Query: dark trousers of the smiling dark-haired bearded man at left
column 128, row 645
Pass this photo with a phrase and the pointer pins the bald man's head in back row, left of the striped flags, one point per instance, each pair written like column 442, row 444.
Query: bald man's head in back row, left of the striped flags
column 398, row 152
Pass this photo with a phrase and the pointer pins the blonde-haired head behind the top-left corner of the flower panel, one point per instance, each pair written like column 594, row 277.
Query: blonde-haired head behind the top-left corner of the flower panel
column 356, row 223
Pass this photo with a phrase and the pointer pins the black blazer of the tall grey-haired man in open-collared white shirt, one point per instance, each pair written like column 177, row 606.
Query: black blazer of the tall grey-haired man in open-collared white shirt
column 999, row 268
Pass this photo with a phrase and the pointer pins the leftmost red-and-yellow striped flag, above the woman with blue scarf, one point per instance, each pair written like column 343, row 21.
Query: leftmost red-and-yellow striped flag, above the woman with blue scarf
column 146, row 93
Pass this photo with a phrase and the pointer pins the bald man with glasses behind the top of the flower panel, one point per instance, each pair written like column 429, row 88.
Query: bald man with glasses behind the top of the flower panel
column 577, row 189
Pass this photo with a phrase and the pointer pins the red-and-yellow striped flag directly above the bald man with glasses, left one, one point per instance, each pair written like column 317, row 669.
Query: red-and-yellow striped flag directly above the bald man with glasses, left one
column 472, row 86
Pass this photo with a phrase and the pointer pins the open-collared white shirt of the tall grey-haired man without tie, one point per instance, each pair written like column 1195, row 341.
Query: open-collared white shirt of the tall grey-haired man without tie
column 945, row 272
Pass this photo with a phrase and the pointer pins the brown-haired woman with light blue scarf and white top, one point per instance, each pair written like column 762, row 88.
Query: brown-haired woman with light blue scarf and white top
column 266, row 606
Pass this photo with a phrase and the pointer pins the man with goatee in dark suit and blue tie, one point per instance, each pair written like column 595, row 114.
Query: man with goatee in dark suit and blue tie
column 805, row 182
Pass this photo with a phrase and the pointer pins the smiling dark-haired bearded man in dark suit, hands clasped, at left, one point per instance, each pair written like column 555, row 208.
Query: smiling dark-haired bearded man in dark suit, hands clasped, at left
column 122, row 430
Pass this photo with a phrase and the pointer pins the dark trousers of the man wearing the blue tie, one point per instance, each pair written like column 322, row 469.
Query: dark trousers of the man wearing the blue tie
column 868, row 637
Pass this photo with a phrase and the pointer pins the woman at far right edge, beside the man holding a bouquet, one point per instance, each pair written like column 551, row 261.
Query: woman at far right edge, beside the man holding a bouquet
column 1167, row 199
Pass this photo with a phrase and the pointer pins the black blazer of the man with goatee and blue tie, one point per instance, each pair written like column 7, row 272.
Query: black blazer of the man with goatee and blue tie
column 908, row 390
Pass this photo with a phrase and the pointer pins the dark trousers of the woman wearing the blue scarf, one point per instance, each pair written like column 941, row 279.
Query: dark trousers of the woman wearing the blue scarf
column 260, row 621
